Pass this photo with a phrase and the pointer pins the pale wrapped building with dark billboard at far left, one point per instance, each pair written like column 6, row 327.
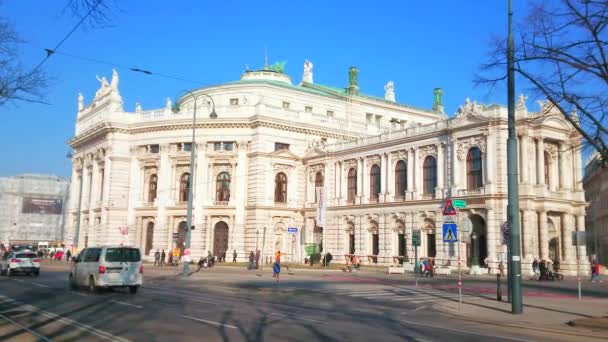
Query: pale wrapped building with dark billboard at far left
column 32, row 209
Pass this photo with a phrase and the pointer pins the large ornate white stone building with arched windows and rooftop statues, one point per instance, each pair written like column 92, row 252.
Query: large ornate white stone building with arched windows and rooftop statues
column 383, row 168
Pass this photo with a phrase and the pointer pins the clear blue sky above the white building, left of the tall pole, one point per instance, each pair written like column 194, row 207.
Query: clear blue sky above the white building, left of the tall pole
column 419, row 45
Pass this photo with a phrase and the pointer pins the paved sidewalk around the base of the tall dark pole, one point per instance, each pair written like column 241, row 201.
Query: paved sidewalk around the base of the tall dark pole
column 585, row 318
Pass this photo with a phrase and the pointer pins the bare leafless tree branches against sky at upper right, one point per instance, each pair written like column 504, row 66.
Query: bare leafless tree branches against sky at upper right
column 561, row 52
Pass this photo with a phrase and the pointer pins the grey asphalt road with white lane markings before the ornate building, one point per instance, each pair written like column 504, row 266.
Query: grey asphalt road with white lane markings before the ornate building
column 235, row 305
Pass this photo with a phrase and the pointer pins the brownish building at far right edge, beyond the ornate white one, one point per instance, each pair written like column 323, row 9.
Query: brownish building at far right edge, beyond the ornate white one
column 596, row 190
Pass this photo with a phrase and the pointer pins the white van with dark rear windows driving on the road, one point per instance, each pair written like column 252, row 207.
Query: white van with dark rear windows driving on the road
column 107, row 267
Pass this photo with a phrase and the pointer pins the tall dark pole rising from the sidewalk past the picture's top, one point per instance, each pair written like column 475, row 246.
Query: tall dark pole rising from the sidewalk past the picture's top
column 513, row 191
